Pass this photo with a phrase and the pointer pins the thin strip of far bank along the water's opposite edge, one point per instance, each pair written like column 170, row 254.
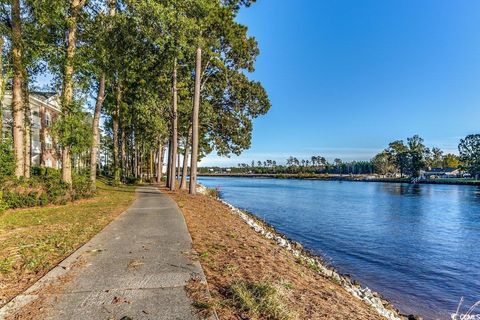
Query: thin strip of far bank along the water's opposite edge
column 335, row 177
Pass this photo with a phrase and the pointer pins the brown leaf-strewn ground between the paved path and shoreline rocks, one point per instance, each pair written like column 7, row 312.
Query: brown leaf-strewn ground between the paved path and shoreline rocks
column 230, row 251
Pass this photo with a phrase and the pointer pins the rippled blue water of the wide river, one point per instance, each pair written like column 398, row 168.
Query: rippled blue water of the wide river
column 418, row 245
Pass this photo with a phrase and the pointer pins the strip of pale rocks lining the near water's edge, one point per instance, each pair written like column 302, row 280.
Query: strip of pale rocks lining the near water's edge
column 374, row 299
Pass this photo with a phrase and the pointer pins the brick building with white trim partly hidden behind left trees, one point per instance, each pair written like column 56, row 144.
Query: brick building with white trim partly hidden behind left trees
column 44, row 110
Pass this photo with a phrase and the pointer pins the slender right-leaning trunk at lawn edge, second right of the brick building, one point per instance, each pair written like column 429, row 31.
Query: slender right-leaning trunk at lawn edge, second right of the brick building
column 95, row 129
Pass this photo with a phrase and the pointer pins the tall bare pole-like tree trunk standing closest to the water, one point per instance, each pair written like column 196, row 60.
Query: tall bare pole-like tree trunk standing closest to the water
column 195, row 114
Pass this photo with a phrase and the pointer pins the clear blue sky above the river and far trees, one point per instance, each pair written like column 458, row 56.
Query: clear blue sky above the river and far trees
column 346, row 77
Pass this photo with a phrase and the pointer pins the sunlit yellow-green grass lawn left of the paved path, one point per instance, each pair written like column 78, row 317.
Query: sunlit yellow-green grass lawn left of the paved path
column 34, row 240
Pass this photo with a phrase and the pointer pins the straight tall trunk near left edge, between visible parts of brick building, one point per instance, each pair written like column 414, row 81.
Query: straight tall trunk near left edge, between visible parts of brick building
column 17, row 98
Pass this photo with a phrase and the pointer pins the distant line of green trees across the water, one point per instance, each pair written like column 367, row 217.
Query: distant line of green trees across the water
column 401, row 158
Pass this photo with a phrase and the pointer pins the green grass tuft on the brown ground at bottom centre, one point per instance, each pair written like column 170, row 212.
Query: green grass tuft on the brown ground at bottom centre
column 260, row 300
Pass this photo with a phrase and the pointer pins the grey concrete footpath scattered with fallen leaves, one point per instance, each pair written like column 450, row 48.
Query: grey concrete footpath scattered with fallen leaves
column 136, row 268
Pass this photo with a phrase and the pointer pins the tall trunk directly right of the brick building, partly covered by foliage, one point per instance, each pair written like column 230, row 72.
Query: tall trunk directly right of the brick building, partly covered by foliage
column 67, row 96
